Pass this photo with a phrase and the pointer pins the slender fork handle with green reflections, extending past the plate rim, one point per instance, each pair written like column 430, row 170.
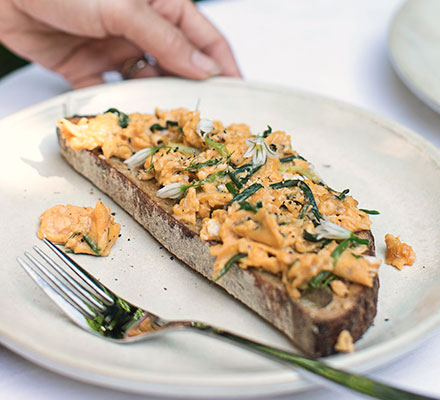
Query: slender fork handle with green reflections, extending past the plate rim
column 349, row 380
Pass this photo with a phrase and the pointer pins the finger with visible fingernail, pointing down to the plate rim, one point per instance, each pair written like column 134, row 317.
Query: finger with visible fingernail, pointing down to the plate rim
column 139, row 23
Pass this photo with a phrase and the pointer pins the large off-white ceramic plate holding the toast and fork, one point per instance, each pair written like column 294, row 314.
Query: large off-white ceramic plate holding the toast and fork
column 386, row 166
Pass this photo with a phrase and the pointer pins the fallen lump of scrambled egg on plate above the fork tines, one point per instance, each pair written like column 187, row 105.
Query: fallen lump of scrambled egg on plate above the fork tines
column 80, row 229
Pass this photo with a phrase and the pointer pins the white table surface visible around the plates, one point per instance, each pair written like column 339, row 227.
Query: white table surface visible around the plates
column 338, row 49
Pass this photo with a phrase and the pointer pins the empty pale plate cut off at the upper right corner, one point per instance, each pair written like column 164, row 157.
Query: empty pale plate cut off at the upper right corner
column 414, row 47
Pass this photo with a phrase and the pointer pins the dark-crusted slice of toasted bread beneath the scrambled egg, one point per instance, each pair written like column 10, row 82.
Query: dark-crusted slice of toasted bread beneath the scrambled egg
column 313, row 322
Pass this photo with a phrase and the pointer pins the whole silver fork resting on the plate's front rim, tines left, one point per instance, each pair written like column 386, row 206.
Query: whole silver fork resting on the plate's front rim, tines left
column 98, row 310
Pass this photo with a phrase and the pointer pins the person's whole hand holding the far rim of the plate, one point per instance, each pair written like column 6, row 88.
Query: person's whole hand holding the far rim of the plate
column 82, row 39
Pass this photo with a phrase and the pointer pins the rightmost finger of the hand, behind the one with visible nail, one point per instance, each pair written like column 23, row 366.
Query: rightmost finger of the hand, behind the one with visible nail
column 199, row 31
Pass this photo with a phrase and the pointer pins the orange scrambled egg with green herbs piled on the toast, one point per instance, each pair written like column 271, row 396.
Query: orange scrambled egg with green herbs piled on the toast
column 269, row 227
